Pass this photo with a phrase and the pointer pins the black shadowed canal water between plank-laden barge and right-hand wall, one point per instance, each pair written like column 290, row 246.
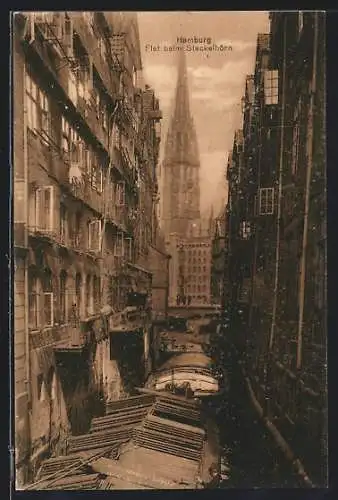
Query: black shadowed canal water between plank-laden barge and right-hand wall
column 250, row 455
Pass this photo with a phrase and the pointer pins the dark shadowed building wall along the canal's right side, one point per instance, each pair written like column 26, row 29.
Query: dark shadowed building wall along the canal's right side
column 285, row 327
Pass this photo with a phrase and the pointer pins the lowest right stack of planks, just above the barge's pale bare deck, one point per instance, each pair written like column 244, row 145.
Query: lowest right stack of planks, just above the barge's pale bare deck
column 170, row 437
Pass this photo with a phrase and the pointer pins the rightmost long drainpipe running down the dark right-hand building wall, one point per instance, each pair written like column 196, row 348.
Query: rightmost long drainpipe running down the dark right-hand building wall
column 309, row 155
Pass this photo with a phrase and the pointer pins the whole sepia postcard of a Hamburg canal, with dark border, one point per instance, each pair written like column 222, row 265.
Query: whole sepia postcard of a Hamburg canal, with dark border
column 169, row 293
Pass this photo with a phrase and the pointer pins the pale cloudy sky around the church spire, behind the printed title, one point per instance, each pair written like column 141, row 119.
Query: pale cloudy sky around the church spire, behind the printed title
column 216, row 80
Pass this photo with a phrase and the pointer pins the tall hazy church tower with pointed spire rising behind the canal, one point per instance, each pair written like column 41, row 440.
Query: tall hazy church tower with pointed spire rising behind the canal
column 181, row 165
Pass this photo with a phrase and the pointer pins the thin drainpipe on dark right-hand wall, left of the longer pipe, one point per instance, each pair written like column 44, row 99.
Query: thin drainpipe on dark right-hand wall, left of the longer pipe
column 280, row 192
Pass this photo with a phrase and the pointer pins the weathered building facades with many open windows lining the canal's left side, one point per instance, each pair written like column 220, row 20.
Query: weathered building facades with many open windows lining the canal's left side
column 58, row 246
